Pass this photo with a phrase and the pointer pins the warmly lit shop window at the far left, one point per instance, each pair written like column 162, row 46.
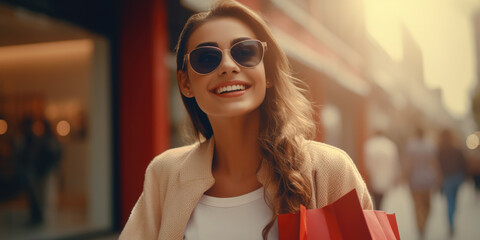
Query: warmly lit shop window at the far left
column 55, row 154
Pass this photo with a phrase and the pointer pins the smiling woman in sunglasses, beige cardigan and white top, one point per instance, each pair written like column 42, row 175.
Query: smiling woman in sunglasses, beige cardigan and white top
column 252, row 160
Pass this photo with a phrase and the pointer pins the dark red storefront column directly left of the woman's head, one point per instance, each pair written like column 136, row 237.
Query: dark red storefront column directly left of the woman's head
column 144, row 120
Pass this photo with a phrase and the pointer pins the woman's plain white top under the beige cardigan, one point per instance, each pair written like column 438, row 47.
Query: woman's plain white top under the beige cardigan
column 242, row 217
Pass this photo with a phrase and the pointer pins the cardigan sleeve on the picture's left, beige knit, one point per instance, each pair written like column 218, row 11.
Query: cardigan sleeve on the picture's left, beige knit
column 145, row 218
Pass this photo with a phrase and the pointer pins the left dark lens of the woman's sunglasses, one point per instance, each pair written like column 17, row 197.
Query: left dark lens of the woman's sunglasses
column 205, row 60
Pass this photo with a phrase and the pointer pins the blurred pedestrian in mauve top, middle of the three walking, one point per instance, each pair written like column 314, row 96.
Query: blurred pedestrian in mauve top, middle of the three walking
column 422, row 173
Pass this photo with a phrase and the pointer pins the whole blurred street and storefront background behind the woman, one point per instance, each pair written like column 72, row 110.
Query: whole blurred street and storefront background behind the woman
column 88, row 97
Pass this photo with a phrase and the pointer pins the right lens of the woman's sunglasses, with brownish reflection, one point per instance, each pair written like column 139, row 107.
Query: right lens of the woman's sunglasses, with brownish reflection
column 247, row 53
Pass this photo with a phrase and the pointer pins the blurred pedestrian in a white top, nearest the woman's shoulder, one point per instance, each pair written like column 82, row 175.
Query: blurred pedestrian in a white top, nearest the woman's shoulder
column 381, row 159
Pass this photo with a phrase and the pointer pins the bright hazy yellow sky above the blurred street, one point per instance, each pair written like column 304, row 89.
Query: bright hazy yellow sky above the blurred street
column 443, row 31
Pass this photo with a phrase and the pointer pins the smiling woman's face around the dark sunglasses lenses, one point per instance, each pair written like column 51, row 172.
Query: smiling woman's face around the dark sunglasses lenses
column 230, row 90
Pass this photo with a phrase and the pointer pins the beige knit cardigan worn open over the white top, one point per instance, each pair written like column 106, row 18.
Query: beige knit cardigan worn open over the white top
column 176, row 179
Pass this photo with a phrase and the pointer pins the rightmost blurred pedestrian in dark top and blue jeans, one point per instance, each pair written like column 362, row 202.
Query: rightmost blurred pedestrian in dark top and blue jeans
column 453, row 168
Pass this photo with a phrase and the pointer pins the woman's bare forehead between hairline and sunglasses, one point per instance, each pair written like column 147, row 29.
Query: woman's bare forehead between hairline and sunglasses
column 221, row 31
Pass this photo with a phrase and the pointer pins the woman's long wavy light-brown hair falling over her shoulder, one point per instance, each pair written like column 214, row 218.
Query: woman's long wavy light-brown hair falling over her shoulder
column 287, row 115
